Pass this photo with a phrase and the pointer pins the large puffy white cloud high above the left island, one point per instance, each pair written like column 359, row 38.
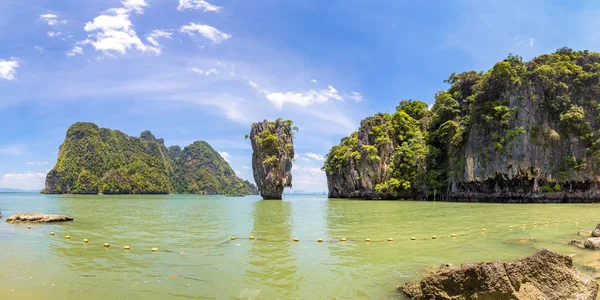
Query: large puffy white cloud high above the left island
column 115, row 32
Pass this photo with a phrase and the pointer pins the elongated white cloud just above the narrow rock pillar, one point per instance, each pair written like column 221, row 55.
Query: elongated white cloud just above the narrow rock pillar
column 303, row 99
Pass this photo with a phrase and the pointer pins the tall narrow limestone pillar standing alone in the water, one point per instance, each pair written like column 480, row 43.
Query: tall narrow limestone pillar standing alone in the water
column 272, row 156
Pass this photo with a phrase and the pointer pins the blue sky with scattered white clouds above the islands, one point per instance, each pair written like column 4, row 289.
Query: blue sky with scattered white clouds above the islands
column 191, row 70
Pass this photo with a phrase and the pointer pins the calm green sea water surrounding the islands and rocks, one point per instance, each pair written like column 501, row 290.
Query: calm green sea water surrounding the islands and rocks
column 197, row 259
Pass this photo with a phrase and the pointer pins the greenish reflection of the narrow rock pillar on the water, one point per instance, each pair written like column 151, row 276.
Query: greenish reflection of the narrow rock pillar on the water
column 272, row 259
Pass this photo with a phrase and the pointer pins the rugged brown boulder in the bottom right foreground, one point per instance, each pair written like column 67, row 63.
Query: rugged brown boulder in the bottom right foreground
column 543, row 275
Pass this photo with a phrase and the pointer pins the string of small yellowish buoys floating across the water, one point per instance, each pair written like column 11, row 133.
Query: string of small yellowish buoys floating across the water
column 483, row 231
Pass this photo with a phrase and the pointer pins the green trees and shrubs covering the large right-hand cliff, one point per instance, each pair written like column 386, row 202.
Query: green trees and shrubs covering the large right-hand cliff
column 557, row 92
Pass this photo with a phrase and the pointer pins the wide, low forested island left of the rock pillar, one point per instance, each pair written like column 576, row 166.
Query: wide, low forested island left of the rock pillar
column 99, row 160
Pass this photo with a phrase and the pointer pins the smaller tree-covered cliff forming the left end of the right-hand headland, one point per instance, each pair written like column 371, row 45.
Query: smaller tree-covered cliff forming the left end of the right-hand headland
column 384, row 159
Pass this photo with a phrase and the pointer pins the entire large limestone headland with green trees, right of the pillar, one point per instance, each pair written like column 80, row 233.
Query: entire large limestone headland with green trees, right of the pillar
column 520, row 132
